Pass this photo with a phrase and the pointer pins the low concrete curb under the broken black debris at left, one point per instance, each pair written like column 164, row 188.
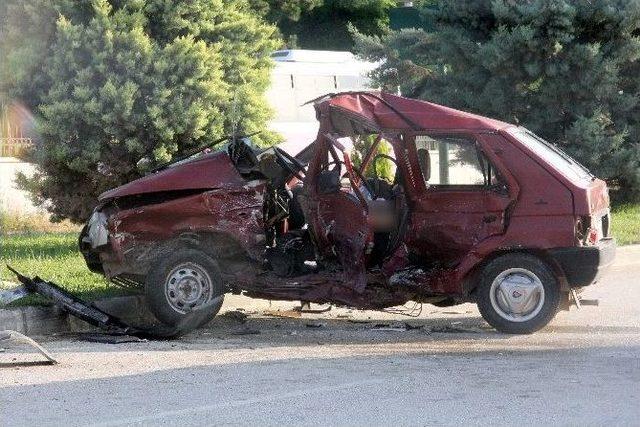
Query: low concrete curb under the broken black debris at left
column 51, row 319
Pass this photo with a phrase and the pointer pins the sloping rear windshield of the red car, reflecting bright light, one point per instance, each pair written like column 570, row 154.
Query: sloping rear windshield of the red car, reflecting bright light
column 552, row 155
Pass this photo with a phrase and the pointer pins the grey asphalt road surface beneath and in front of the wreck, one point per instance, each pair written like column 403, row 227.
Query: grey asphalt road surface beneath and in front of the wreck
column 352, row 368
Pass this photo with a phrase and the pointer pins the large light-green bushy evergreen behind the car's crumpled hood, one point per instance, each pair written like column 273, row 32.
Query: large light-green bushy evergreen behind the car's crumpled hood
column 114, row 81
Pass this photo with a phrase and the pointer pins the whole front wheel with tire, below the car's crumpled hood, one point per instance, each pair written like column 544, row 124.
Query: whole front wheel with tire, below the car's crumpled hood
column 181, row 282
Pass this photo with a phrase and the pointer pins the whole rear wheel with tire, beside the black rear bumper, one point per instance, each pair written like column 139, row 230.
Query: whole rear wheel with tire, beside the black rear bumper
column 518, row 293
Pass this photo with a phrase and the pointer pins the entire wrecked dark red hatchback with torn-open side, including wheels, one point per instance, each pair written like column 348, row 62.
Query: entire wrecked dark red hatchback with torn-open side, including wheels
column 477, row 210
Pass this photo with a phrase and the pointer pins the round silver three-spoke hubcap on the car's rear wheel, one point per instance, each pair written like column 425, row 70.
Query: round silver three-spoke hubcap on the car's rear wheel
column 517, row 295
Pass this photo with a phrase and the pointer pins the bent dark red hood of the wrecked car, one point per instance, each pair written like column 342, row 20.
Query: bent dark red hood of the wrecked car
column 207, row 172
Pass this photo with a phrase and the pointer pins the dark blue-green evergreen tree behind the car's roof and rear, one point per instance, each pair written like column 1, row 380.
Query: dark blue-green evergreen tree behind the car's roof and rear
column 567, row 70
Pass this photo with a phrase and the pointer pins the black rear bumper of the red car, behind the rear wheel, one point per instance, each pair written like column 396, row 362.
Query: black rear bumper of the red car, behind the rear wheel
column 582, row 266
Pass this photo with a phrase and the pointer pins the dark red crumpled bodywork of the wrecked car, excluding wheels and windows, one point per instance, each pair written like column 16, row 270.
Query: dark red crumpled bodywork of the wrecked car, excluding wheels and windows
column 443, row 235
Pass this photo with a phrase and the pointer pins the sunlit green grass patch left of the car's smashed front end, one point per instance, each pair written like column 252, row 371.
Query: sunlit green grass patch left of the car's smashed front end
column 53, row 257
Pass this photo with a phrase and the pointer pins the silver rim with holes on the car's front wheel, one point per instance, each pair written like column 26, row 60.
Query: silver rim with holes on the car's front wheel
column 188, row 286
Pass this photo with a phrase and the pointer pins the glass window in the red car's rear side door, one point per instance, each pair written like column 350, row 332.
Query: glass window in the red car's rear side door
column 453, row 161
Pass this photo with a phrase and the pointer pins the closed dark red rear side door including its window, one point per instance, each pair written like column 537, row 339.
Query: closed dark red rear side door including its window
column 461, row 199
